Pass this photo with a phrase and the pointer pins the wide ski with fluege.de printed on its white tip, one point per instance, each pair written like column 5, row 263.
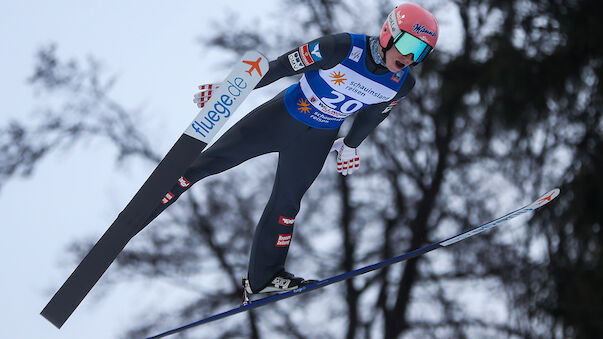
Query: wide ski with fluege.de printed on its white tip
column 235, row 88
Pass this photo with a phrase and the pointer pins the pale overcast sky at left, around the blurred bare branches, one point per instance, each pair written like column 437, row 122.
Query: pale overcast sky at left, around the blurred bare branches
column 151, row 46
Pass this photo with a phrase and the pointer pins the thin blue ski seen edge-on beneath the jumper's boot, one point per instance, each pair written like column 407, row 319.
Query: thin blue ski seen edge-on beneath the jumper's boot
column 543, row 200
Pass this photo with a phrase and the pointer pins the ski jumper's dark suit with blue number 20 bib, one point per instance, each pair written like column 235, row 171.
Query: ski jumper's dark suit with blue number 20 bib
column 340, row 77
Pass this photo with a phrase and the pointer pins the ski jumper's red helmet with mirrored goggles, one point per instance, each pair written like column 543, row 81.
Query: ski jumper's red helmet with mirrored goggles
column 414, row 20
